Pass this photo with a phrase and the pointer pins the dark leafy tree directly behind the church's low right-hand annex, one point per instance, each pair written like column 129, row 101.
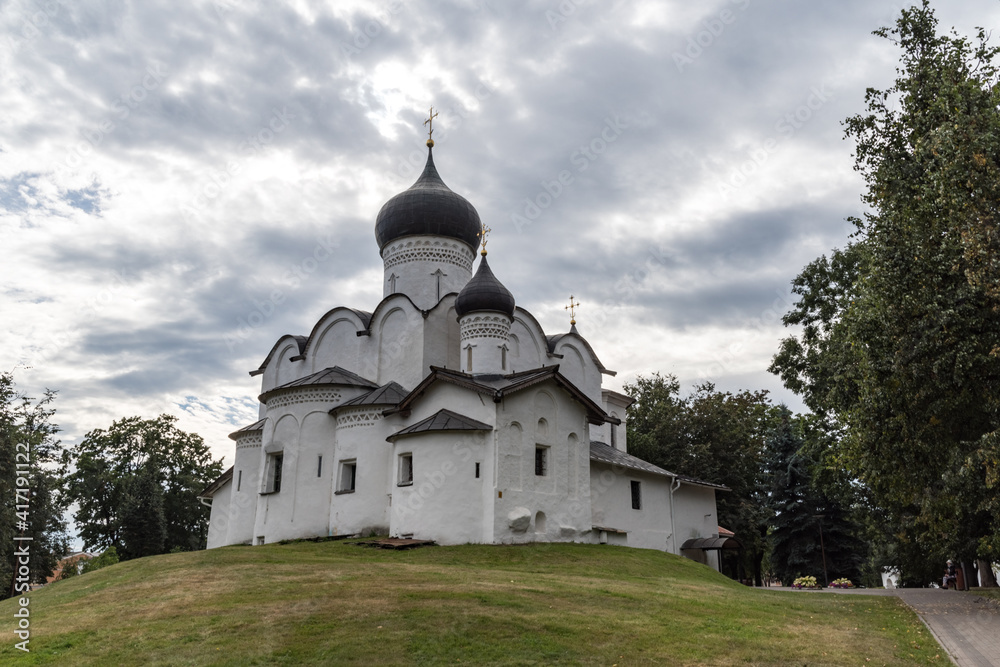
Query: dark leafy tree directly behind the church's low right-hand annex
column 710, row 435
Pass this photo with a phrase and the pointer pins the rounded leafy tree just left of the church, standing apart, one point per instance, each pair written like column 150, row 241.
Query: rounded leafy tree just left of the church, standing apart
column 125, row 478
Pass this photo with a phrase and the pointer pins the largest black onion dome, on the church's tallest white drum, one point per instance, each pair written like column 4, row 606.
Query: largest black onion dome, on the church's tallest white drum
column 428, row 207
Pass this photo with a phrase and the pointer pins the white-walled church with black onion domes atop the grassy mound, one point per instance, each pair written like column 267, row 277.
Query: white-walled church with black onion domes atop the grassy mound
column 446, row 413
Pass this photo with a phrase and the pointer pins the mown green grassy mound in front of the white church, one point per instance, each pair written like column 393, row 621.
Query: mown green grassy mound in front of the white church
column 338, row 604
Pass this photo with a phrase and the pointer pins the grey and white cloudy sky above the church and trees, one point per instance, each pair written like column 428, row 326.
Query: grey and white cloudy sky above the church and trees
column 168, row 169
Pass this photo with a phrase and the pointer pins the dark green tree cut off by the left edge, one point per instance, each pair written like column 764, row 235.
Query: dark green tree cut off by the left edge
column 33, row 506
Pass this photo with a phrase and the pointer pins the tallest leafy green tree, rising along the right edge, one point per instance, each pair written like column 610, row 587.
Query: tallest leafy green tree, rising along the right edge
column 901, row 337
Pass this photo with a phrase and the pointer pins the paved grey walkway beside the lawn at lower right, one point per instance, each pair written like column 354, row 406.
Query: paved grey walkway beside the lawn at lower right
column 965, row 624
